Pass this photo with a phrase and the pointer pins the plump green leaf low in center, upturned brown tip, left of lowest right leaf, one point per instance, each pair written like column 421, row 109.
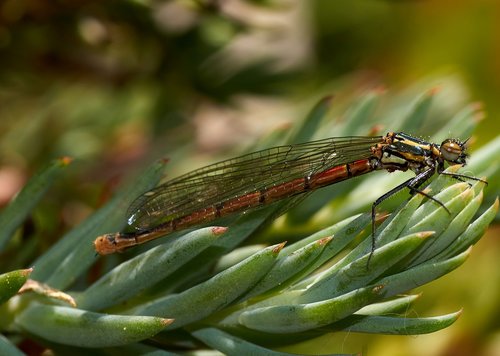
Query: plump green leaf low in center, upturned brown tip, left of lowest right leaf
column 301, row 317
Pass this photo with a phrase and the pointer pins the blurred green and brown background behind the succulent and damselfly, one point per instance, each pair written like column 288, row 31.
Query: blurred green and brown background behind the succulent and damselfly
column 118, row 84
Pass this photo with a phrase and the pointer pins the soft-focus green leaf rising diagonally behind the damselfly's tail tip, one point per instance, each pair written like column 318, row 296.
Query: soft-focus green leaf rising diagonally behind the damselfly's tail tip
column 74, row 253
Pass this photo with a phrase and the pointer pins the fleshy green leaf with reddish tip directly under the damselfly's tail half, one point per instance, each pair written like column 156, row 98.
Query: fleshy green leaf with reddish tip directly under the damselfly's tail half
column 137, row 274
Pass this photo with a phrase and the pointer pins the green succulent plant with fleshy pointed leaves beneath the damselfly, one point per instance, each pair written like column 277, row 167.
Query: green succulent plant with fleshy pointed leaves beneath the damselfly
column 204, row 288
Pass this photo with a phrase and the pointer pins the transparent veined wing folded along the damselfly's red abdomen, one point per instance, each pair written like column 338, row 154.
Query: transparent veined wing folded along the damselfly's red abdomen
column 232, row 178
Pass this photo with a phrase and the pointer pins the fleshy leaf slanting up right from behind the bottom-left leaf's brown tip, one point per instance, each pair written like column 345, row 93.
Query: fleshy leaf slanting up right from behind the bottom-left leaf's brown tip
column 214, row 294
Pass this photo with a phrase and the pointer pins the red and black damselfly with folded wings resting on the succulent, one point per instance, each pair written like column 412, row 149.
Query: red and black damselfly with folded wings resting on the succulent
column 257, row 179
